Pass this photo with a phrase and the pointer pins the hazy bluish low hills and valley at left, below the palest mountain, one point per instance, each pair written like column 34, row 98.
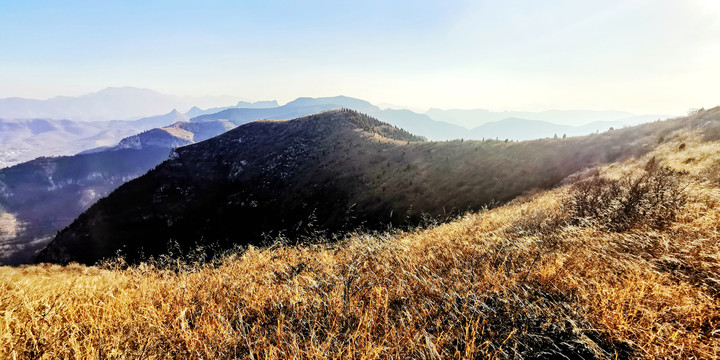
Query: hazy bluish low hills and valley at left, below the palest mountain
column 23, row 140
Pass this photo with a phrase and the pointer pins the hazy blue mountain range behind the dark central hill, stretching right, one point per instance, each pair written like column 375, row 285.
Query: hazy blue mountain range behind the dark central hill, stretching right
column 450, row 124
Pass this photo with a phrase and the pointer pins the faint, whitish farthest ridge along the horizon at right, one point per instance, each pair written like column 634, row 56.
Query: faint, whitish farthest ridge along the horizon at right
column 476, row 117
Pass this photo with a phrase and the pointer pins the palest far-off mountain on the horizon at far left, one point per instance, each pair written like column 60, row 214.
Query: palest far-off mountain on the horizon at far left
column 109, row 104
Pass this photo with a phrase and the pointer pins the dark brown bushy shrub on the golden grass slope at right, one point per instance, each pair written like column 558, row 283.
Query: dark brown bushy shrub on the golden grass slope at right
column 651, row 198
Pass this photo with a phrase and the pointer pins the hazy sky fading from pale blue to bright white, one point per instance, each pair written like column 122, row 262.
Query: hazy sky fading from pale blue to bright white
column 641, row 56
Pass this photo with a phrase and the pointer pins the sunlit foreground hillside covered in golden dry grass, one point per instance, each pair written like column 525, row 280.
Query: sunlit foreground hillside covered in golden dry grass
column 635, row 275
